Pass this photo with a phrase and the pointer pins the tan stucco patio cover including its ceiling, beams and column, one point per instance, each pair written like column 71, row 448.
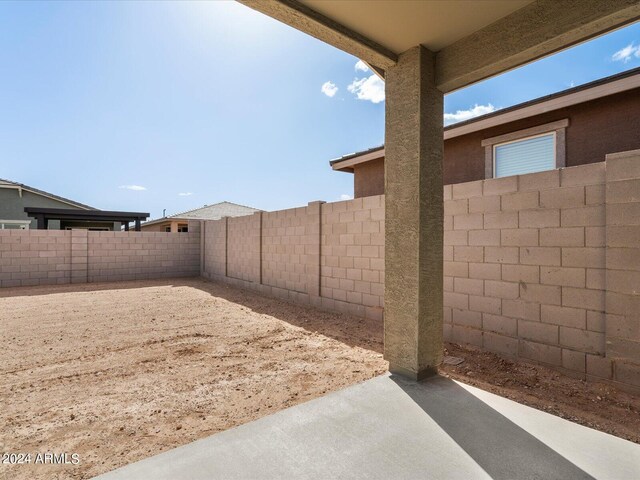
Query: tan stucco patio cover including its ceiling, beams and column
column 424, row 50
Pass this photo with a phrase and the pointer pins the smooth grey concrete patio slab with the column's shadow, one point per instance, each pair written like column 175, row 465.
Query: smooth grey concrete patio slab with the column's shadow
column 389, row 428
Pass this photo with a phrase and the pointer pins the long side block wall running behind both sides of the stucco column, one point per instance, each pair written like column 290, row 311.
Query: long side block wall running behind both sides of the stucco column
column 541, row 267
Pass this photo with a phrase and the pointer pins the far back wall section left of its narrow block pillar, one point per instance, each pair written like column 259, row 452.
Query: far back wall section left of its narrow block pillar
column 34, row 257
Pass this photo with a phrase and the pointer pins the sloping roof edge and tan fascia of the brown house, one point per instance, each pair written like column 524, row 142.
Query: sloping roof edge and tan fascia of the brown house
column 603, row 87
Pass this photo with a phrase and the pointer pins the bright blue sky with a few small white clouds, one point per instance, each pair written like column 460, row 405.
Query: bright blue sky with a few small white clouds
column 202, row 102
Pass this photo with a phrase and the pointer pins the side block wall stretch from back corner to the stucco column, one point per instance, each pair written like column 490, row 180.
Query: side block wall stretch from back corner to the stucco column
column 300, row 257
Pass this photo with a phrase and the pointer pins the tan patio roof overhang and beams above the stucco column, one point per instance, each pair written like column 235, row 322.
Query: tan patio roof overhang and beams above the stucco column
column 473, row 40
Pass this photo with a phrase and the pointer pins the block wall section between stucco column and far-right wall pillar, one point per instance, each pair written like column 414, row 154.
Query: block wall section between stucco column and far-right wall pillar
column 524, row 266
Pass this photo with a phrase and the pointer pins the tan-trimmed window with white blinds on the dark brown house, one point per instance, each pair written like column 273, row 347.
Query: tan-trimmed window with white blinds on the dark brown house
column 534, row 149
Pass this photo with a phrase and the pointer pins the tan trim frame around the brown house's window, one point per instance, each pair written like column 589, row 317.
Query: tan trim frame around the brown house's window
column 557, row 127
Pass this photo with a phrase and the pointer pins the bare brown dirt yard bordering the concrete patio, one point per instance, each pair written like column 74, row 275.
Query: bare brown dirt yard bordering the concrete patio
column 119, row 372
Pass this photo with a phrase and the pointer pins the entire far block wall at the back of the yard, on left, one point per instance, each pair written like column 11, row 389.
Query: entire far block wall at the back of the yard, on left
column 43, row 257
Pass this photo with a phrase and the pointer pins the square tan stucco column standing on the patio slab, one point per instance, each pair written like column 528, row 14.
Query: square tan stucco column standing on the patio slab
column 414, row 216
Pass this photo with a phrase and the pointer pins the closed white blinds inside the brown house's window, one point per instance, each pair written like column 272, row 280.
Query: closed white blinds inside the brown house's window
column 528, row 155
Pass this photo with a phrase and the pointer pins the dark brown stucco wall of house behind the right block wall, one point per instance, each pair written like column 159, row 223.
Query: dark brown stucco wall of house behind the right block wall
column 597, row 127
